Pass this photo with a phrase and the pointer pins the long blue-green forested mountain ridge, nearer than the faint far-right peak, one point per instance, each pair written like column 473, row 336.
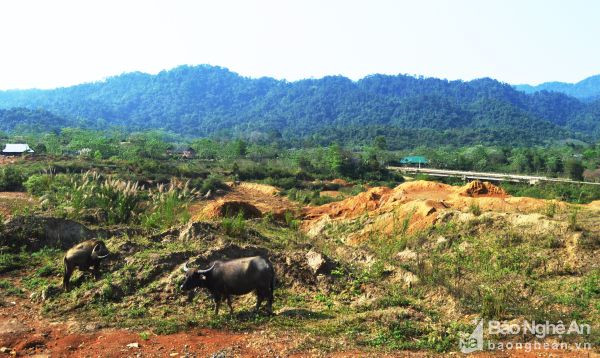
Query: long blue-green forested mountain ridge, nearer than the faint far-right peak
column 205, row 100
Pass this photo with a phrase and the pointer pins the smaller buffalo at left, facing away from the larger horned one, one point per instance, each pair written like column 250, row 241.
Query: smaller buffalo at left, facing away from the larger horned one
column 84, row 255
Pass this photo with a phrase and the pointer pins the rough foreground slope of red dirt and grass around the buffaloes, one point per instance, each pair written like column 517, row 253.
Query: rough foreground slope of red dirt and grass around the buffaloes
column 395, row 272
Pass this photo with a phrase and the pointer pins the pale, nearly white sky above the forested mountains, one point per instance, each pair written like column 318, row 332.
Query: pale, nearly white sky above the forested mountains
column 47, row 44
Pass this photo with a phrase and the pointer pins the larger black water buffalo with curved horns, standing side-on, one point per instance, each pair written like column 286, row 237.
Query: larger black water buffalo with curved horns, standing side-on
column 234, row 277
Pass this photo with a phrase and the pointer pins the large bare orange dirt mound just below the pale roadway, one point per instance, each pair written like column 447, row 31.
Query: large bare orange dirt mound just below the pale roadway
column 413, row 206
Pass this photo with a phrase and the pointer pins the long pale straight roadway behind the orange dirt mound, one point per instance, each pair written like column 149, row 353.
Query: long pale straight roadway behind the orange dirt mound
column 486, row 176
